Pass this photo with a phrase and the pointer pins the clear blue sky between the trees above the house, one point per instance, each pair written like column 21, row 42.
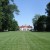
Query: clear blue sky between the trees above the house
column 28, row 9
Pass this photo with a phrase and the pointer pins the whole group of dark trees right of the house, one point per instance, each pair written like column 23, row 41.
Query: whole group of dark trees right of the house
column 42, row 22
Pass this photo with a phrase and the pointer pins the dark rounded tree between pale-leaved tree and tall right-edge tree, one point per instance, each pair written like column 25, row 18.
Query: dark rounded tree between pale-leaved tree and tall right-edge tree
column 41, row 23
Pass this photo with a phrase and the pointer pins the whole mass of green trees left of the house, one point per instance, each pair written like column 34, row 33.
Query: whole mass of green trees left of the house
column 7, row 21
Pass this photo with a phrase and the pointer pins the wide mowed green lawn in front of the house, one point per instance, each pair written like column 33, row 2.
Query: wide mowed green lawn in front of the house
column 19, row 40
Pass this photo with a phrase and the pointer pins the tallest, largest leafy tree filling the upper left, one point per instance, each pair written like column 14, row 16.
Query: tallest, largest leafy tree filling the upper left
column 6, row 13
